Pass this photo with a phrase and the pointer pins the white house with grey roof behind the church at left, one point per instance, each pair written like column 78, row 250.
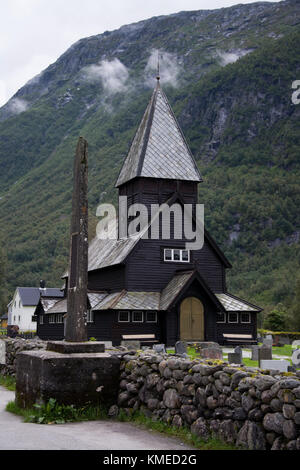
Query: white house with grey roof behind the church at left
column 24, row 303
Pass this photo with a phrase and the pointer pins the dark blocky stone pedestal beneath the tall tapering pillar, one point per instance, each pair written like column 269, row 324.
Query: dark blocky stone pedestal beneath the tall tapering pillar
column 71, row 376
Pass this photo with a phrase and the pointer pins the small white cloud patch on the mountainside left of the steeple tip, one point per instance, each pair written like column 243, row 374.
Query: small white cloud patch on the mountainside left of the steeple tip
column 112, row 74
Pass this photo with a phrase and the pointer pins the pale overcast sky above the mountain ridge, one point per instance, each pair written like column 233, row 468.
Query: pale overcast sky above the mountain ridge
column 34, row 33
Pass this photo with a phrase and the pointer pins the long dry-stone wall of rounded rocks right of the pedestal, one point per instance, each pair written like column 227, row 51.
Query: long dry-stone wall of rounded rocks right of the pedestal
column 241, row 405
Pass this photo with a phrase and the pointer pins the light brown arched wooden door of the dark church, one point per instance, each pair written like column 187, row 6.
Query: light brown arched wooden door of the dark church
column 191, row 319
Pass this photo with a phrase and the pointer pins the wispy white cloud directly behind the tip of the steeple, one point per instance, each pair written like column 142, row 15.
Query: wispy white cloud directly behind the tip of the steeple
column 169, row 68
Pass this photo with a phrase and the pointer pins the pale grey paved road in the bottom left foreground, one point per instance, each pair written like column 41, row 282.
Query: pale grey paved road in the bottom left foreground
column 92, row 435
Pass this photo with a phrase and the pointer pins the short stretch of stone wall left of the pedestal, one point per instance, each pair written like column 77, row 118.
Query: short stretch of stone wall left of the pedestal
column 12, row 347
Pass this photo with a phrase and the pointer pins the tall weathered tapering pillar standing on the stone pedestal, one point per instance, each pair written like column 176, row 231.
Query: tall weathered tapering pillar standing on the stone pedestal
column 76, row 329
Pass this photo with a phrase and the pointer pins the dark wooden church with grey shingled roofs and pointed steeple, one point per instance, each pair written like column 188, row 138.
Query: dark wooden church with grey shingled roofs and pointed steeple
column 156, row 290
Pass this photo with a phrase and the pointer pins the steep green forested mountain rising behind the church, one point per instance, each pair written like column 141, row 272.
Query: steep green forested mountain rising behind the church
column 228, row 74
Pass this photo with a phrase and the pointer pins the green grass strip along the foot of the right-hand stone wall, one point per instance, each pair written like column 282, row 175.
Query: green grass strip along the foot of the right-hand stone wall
column 182, row 433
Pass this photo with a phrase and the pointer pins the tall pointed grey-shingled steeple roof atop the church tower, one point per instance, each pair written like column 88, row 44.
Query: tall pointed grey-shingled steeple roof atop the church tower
column 159, row 149
